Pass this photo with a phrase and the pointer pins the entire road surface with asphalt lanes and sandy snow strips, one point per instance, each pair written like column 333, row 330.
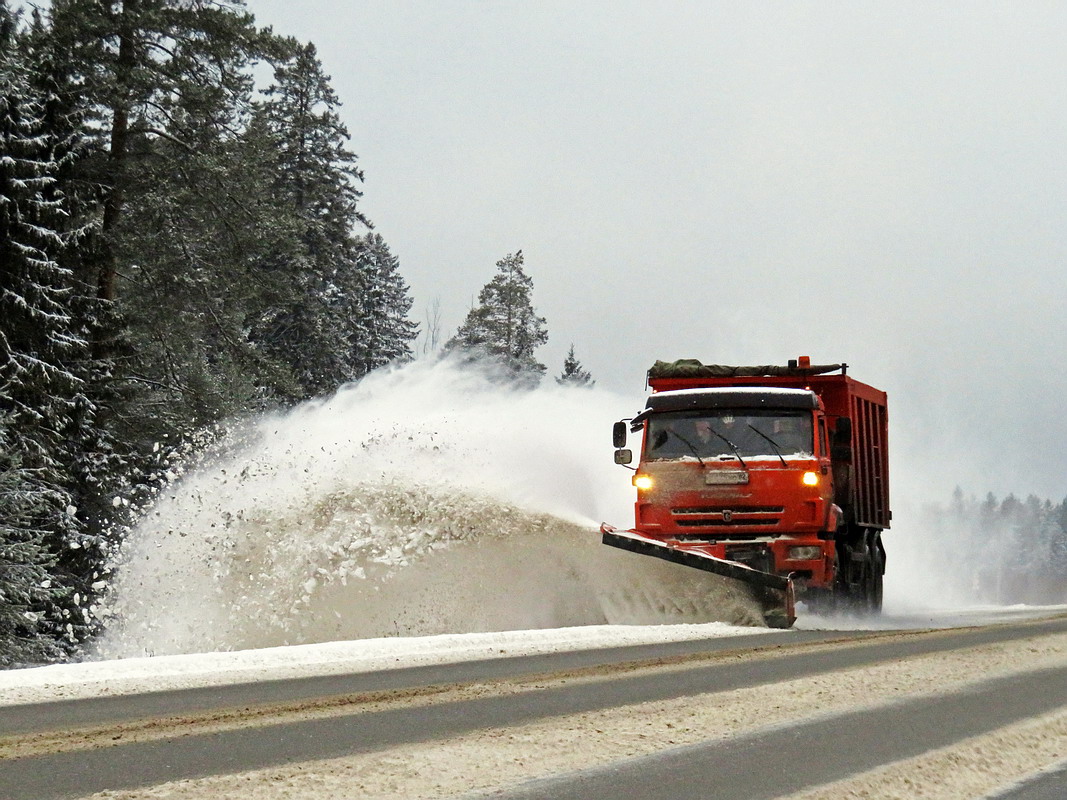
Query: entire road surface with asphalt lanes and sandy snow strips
column 960, row 713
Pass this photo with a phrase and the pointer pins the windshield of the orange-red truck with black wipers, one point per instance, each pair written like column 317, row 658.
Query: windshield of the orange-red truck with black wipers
column 729, row 433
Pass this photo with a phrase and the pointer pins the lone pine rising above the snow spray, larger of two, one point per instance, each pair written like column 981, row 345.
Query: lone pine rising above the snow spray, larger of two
column 504, row 324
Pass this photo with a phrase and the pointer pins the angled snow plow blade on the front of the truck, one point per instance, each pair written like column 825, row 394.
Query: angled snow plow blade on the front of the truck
column 775, row 591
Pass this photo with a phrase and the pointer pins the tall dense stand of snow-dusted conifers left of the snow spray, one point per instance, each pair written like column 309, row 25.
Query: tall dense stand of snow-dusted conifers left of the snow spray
column 177, row 248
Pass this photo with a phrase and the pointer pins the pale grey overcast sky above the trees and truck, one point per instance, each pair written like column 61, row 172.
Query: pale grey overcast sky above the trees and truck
column 883, row 184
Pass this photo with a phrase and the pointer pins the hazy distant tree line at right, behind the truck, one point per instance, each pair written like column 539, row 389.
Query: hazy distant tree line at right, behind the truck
column 1002, row 552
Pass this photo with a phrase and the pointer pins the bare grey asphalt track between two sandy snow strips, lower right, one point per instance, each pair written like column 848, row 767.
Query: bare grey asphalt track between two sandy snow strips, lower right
column 771, row 764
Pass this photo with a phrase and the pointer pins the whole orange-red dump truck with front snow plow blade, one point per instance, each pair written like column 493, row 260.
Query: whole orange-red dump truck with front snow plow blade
column 774, row 476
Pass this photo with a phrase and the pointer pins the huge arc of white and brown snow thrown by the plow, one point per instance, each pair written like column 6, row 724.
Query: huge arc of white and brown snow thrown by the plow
column 425, row 500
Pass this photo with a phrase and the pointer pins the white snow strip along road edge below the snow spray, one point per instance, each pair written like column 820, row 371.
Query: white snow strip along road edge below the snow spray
column 134, row 676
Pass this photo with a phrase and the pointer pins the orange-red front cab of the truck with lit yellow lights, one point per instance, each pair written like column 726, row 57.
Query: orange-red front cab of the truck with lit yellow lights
column 742, row 475
